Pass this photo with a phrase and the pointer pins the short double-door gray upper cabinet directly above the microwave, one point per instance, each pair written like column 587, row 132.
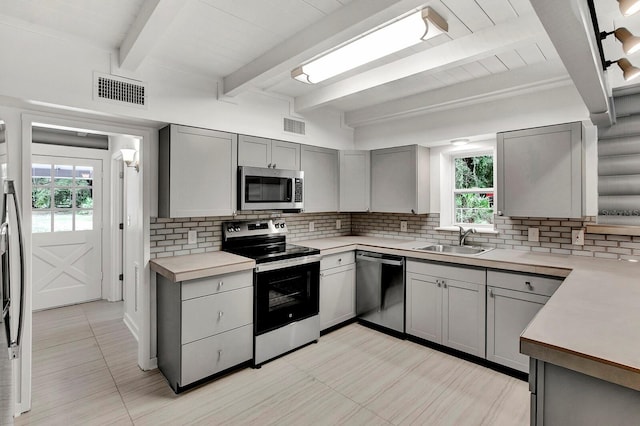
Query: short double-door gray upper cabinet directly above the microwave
column 262, row 152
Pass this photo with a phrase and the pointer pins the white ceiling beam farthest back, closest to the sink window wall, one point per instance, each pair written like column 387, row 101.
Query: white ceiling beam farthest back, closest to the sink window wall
column 540, row 76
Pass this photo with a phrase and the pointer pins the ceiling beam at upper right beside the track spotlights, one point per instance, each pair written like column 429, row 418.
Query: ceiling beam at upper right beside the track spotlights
column 569, row 26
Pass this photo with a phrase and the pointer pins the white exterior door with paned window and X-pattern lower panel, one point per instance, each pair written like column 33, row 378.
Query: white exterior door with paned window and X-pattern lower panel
column 66, row 225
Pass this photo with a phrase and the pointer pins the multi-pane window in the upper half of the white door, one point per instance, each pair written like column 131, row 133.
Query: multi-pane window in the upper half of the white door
column 61, row 198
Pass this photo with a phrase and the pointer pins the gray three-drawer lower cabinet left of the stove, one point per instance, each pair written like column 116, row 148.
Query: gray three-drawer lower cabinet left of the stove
column 205, row 326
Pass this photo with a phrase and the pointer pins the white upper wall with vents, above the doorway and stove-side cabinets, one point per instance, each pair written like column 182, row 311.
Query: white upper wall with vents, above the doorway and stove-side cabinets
column 53, row 71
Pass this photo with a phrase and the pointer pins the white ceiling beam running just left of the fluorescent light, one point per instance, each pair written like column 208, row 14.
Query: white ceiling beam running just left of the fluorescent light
column 334, row 29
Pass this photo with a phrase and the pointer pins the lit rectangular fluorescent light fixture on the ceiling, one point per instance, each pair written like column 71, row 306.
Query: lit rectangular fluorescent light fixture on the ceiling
column 400, row 34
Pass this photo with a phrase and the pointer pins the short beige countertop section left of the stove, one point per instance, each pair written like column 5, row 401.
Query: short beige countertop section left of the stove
column 193, row 266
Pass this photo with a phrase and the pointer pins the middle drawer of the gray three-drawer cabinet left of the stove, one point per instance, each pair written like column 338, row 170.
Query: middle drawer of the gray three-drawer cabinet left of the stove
column 213, row 314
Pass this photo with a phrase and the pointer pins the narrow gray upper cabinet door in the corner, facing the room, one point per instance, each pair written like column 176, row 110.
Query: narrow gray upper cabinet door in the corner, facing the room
column 355, row 178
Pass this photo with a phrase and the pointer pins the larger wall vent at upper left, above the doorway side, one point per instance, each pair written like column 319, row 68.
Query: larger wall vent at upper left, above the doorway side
column 119, row 90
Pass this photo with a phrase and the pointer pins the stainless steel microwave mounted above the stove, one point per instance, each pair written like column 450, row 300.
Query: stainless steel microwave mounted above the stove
column 270, row 189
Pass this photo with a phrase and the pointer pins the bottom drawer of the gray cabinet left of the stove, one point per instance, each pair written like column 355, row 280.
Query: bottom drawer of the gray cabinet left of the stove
column 205, row 357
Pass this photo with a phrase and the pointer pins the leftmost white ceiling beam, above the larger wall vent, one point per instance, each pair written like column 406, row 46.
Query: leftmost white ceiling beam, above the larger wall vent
column 150, row 23
